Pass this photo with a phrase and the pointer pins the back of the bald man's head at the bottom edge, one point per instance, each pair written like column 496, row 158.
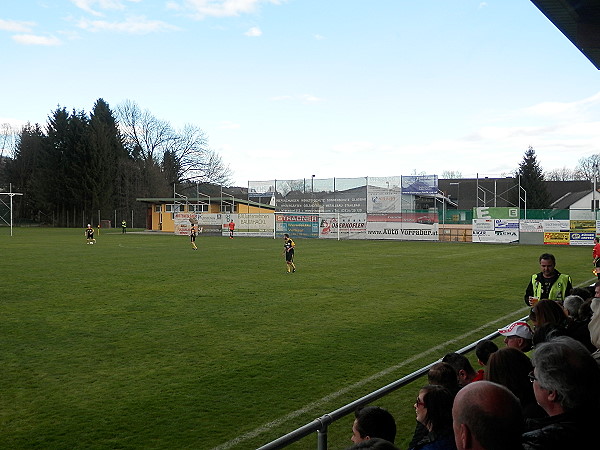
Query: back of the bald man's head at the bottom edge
column 487, row 416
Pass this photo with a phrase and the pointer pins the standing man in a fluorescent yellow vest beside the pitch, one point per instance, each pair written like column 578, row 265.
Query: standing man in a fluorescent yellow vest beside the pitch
column 549, row 283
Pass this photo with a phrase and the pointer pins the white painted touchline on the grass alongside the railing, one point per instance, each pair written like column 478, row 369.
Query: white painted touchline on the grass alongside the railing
column 319, row 403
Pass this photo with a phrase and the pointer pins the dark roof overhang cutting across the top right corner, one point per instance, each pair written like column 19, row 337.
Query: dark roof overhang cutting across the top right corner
column 579, row 21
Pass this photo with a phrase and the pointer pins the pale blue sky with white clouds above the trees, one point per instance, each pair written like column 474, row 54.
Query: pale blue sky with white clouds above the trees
column 288, row 89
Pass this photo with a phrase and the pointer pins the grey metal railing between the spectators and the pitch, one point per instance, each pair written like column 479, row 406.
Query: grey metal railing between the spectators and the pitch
column 321, row 424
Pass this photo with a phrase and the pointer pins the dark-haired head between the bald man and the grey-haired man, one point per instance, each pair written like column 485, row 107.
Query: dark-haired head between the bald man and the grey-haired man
column 510, row 367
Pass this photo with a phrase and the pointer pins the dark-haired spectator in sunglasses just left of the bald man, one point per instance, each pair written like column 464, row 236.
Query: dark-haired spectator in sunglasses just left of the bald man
column 433, row 409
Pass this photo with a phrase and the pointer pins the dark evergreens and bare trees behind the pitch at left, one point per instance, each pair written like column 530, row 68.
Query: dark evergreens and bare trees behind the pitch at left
column 103, row 161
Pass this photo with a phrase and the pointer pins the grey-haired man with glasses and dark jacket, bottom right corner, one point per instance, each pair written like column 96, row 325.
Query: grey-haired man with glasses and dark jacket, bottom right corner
column 566, row 383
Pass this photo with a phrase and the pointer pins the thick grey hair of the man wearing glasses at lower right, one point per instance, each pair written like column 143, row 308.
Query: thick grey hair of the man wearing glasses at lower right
column 565, row 366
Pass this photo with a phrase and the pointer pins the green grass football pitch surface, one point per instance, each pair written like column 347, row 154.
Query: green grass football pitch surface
column 140, row 342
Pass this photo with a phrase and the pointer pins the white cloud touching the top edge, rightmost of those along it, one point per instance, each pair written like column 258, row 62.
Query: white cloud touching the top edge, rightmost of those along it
column 219, row 8
